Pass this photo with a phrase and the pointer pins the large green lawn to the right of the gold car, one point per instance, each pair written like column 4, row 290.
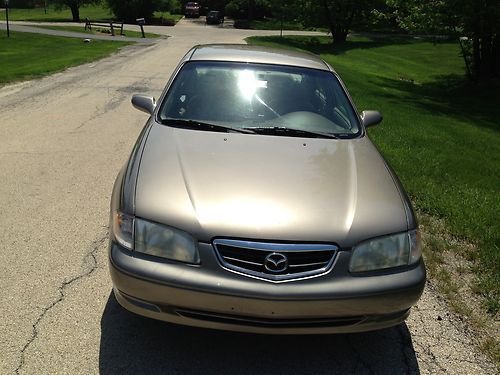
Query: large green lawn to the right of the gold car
column 440, row 133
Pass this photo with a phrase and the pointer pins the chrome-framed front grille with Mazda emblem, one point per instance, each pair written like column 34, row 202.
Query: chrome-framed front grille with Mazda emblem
column 275, row 261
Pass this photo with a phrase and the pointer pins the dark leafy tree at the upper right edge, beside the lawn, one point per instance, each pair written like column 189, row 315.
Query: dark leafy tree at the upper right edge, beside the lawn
column 475, row 22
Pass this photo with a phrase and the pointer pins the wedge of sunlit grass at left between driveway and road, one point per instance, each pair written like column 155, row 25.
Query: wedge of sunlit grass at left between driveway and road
column 27, row 55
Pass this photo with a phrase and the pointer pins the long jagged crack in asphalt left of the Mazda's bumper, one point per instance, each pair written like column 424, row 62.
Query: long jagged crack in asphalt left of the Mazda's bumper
column 90, row 264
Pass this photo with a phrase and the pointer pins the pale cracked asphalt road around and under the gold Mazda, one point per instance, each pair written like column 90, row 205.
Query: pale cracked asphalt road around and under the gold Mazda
column 62, row 142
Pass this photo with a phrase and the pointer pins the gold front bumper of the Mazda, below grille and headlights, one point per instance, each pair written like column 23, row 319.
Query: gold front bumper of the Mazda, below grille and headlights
column 210, row 296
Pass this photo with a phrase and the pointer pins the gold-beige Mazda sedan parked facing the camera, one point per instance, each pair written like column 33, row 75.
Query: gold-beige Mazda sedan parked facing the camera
column 254, row 201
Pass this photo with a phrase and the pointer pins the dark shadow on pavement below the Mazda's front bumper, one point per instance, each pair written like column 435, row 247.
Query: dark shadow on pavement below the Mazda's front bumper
column 133, row 344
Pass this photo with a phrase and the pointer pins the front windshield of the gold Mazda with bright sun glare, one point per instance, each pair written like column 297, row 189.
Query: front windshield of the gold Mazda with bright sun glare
column 260, row 97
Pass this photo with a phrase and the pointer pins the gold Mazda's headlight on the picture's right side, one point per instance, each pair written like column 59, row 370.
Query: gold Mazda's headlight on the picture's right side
column 386, row 252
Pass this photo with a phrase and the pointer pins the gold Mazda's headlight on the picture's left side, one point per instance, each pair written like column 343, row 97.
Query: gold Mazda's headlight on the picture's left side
column 165, row 242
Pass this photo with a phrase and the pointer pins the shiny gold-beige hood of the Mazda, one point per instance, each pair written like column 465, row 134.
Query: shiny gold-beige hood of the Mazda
column 267, row 187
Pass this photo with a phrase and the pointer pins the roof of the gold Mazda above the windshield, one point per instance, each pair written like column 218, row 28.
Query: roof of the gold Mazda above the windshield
column 256, row 54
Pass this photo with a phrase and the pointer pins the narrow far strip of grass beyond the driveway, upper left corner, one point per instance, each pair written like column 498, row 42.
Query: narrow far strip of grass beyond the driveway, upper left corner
column 93, row 12
